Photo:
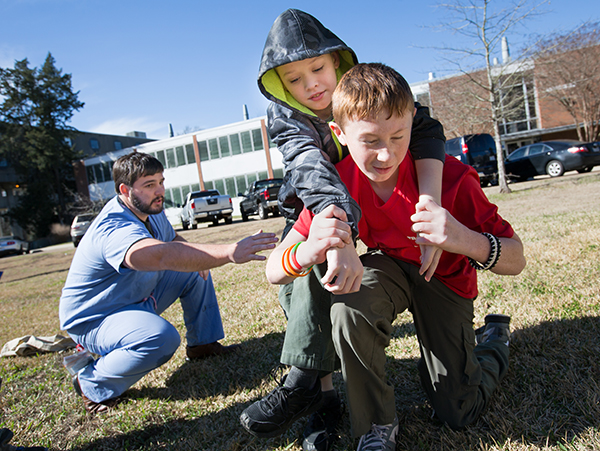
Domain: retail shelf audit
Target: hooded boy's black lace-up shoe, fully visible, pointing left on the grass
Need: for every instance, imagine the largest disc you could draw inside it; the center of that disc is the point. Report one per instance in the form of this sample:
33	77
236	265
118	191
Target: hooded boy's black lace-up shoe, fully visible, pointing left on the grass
275	413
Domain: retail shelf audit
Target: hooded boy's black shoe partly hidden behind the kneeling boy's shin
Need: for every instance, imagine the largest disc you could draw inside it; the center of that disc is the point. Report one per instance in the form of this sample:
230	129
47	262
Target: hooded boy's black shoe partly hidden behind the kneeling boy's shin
321	430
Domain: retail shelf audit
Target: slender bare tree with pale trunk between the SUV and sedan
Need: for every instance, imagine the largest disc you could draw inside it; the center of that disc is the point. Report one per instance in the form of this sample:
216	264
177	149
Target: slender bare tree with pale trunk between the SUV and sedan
491	91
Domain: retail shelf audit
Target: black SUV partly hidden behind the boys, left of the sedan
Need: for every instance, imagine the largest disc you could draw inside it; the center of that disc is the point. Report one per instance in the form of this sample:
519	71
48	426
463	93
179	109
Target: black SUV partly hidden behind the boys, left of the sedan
479	151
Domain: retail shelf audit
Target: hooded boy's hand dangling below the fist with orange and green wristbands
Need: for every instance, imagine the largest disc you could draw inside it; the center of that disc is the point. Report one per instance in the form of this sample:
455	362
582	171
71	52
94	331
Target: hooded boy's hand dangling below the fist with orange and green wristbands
344	270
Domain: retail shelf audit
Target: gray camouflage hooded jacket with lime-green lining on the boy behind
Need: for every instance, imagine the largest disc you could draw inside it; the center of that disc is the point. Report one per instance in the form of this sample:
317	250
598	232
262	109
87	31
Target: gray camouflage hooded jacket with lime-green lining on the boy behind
303	138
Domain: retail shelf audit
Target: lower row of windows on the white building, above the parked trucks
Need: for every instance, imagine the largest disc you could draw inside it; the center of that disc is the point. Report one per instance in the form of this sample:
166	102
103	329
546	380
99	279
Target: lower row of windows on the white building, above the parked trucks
231	185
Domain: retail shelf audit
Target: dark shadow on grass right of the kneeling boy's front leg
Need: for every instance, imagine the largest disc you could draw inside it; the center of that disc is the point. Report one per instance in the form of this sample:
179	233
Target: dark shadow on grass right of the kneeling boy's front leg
550	396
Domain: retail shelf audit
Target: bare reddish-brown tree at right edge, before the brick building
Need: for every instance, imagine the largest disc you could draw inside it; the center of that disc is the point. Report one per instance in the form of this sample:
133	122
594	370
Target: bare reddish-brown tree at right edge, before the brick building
568	73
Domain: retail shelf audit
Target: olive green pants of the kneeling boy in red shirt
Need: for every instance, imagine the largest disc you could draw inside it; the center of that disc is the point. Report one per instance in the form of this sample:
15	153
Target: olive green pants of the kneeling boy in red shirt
458	377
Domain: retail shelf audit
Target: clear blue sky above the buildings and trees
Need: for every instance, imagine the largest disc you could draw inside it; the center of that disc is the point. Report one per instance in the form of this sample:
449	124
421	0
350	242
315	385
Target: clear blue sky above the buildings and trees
144	64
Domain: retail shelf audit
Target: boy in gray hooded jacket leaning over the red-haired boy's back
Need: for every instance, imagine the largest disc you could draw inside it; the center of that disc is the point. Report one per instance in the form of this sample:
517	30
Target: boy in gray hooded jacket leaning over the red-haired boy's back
302	62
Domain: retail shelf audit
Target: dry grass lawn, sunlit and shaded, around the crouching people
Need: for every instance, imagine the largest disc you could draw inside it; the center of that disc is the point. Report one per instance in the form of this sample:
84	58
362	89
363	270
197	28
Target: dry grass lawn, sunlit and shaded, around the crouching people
550	399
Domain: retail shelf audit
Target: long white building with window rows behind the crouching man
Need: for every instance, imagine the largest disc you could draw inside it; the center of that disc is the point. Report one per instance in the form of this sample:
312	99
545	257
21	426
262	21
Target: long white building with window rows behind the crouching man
227	158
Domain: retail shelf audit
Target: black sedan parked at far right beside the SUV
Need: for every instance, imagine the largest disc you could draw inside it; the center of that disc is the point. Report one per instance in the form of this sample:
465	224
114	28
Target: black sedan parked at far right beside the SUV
550	157
